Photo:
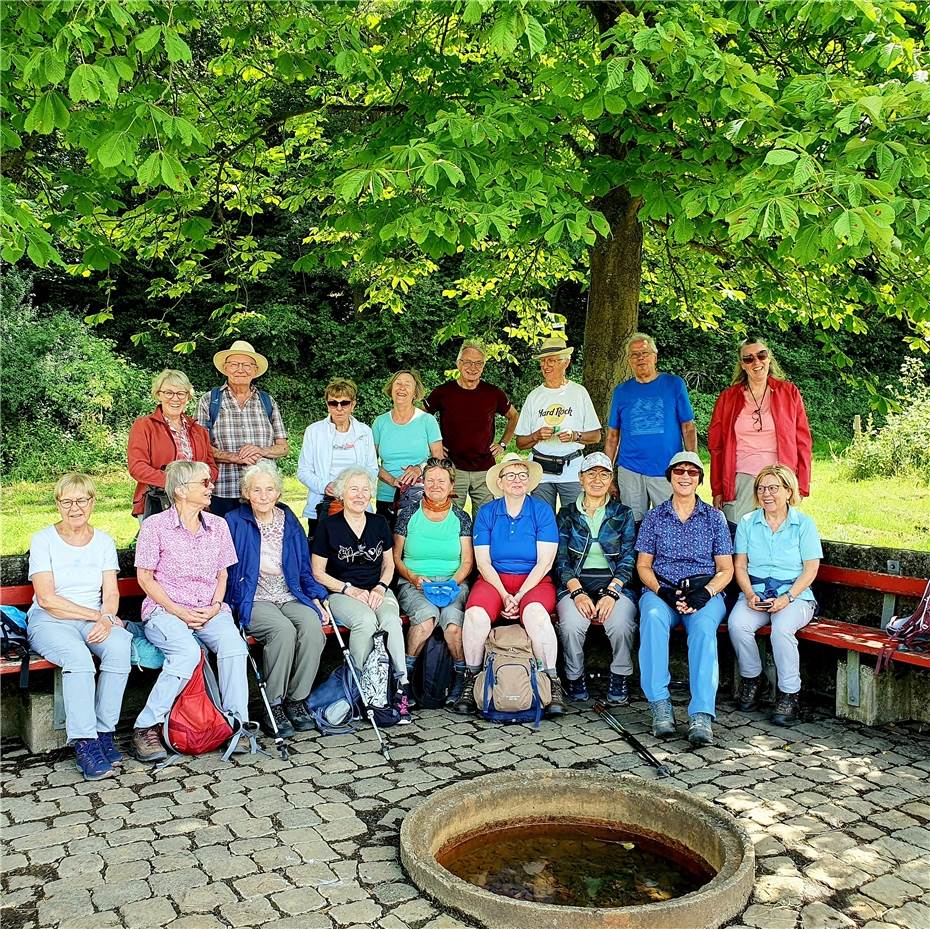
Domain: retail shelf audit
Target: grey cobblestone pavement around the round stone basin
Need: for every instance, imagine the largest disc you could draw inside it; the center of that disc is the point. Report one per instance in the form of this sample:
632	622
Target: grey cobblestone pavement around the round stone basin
840	815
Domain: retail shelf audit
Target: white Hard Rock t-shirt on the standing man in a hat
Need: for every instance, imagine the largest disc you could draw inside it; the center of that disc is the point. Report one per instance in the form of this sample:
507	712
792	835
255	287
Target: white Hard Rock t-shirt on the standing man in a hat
565	409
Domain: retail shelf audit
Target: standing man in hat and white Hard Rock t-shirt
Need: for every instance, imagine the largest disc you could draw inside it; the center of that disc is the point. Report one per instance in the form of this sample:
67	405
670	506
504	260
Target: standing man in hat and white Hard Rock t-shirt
556	422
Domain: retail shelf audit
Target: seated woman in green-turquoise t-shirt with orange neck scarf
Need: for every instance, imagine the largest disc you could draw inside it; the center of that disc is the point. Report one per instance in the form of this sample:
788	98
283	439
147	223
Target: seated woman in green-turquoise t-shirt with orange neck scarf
433	543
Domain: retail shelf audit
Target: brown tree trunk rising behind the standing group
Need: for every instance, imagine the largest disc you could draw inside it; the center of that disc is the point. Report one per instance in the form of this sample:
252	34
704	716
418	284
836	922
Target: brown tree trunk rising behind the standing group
613	298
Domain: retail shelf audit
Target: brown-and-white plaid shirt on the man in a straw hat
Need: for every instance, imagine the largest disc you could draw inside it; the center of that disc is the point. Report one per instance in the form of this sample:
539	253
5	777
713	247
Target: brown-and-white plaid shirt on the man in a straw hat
237	426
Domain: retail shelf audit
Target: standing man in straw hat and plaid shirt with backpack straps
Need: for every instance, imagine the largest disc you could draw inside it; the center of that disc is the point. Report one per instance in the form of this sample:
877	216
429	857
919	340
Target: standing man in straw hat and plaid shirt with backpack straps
244	423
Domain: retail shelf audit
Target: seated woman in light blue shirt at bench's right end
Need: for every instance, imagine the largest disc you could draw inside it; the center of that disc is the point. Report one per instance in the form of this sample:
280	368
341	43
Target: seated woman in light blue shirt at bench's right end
777	554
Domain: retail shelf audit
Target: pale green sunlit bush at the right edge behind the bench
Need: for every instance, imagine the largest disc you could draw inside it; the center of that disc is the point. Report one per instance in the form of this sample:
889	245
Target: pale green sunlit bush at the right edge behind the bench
901	447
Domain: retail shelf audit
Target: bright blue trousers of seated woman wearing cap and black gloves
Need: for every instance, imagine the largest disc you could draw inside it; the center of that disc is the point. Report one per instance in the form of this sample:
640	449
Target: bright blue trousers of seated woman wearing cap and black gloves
656	620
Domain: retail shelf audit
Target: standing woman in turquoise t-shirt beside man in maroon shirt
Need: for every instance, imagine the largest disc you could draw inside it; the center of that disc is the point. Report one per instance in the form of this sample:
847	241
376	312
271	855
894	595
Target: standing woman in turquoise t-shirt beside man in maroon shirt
404	438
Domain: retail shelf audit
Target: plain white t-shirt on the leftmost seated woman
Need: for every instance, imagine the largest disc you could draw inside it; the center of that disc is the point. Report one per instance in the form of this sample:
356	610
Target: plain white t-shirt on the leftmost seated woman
78	569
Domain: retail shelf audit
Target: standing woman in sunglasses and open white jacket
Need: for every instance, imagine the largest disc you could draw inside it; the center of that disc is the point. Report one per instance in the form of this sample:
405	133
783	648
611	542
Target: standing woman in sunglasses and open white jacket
330	446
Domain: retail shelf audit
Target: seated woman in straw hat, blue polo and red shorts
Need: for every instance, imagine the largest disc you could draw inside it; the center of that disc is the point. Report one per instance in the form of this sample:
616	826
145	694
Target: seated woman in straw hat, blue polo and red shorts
516	540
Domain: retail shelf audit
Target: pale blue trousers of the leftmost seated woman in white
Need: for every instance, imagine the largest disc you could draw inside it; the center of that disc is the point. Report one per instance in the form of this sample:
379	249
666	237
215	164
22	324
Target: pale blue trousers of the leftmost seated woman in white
89	708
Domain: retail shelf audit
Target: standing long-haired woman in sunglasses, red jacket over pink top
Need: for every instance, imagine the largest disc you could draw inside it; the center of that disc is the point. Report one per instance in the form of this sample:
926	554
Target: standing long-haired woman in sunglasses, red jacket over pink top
758	421
